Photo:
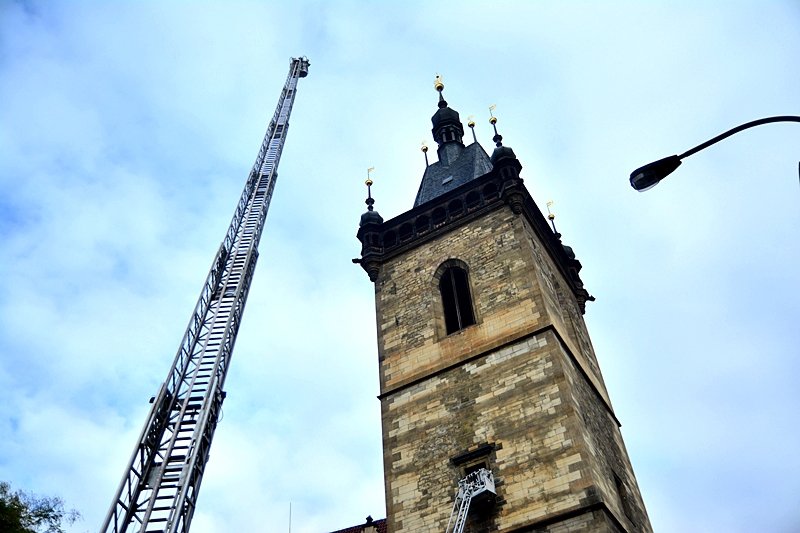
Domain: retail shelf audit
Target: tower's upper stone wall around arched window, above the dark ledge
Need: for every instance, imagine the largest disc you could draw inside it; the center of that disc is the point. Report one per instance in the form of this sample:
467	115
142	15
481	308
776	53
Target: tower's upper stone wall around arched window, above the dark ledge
506	270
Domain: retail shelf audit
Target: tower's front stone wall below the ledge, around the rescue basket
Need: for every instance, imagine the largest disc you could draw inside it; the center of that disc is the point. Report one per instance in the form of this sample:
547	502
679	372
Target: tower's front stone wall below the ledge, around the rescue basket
513	398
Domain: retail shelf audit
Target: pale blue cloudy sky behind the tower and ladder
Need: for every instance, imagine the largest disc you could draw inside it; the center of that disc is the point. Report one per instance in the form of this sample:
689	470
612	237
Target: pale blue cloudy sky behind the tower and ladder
127	131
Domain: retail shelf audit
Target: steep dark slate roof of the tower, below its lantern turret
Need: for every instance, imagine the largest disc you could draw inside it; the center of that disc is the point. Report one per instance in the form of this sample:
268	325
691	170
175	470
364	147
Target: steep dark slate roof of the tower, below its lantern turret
440	178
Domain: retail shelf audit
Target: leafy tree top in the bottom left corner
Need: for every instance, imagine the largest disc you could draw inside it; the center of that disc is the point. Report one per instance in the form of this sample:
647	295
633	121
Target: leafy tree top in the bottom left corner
26	513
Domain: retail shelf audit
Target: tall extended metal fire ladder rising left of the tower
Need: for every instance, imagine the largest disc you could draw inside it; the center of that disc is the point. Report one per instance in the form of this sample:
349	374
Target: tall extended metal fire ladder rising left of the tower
159	490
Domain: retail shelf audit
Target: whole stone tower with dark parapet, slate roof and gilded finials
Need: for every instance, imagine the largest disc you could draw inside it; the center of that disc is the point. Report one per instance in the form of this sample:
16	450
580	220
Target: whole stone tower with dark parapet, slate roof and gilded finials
485	360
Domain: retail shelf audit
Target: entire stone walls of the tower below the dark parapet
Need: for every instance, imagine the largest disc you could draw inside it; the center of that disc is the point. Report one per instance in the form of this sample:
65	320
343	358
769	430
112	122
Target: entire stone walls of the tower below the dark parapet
508	381
